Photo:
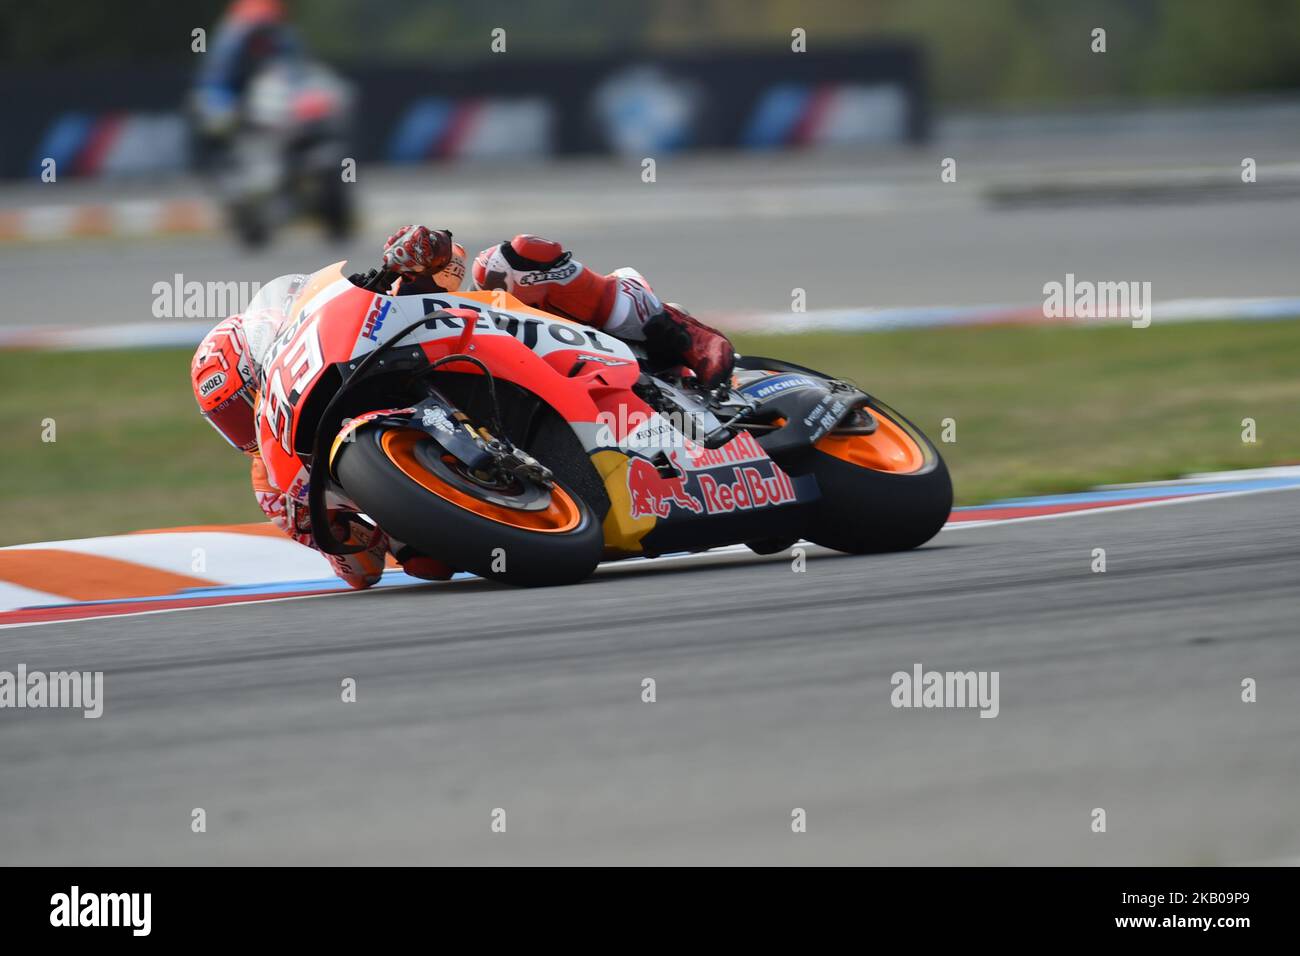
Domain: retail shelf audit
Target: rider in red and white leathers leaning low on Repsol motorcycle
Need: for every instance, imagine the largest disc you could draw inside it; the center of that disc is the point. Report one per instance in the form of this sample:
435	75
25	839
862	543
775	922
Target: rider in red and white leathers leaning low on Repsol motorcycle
540	272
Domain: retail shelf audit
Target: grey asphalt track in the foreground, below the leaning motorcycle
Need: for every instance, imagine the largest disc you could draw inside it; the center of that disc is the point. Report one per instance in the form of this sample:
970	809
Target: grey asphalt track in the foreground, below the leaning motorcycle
1119	691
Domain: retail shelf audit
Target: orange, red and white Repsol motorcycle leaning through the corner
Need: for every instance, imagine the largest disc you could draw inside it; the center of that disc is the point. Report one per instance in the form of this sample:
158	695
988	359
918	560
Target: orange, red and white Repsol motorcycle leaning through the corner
527	448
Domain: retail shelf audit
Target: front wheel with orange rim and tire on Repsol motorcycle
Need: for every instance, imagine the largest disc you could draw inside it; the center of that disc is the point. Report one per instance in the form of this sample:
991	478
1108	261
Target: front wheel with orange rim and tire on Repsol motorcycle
508	530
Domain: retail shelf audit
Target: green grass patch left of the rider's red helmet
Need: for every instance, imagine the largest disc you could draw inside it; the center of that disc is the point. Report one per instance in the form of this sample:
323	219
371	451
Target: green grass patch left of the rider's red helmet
131	449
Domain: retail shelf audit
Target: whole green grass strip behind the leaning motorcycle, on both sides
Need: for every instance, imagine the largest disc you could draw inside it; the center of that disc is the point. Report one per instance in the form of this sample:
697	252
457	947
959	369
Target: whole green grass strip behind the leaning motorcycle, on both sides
1037	410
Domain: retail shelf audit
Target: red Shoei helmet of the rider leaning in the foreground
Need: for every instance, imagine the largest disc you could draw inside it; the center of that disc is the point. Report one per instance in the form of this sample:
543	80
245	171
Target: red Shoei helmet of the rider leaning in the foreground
226	384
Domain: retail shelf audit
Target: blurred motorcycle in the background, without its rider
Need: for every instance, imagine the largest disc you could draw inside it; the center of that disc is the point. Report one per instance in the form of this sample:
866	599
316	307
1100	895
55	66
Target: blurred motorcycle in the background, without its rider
288	153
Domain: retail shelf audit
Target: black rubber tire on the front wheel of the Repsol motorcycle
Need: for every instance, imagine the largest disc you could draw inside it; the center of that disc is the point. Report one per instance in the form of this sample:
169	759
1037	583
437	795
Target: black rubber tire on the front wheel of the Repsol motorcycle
453	534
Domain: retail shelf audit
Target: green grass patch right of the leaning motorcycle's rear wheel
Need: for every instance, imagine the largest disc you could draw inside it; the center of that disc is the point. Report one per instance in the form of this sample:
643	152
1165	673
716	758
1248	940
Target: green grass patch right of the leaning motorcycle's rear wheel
1042	410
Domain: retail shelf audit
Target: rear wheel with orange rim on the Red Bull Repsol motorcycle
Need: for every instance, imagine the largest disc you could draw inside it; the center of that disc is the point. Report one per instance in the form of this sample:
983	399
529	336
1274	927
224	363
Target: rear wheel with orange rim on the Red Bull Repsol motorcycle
889	491
